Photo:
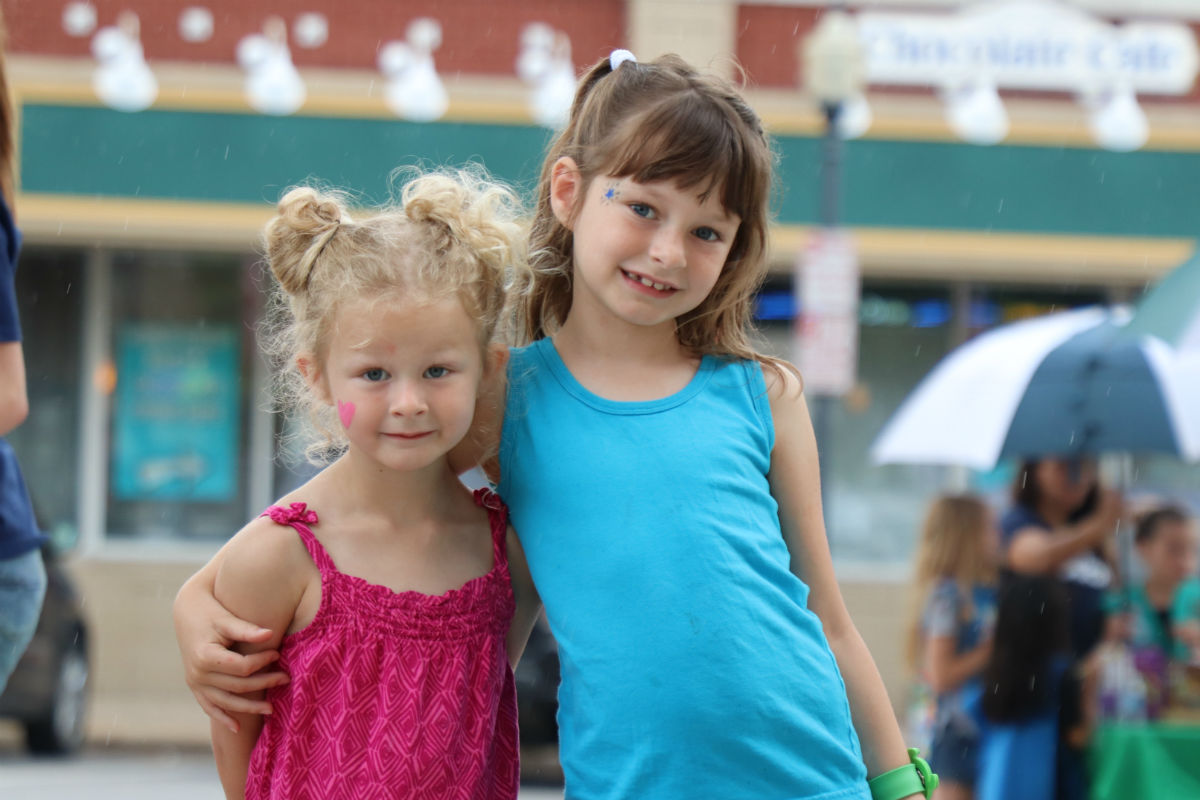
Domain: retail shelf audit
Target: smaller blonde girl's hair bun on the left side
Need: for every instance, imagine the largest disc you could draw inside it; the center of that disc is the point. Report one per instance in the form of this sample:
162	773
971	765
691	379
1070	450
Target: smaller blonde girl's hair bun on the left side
305	224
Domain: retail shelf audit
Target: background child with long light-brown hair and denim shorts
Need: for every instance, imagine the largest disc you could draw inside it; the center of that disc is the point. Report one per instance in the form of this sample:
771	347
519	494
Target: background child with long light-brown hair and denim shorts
950	639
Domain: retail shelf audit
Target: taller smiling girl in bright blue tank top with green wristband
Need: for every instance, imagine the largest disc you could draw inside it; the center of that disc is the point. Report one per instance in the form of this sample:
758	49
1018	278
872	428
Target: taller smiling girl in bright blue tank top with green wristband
663	476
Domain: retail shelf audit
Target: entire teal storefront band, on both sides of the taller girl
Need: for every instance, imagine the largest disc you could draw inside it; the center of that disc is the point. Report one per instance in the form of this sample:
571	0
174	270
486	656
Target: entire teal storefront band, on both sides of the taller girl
250	159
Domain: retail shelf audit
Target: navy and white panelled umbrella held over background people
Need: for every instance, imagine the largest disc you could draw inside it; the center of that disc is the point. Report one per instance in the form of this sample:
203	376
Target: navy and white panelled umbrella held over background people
1071	384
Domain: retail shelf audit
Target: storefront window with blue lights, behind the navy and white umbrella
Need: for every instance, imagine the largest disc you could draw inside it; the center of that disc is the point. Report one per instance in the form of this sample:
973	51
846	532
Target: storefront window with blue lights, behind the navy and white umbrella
874	513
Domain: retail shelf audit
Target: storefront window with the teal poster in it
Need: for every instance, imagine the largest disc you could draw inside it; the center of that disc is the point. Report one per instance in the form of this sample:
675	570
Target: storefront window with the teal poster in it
182	358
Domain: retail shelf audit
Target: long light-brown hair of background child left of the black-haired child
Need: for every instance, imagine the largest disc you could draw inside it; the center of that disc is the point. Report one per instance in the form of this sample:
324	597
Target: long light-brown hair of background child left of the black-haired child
953	545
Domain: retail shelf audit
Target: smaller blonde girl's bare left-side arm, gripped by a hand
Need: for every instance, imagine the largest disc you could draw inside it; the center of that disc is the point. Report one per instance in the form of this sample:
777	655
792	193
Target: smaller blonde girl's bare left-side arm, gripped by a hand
261	579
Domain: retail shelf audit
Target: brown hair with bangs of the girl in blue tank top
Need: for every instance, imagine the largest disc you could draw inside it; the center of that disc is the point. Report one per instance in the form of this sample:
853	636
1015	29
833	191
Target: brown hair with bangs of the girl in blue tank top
655	122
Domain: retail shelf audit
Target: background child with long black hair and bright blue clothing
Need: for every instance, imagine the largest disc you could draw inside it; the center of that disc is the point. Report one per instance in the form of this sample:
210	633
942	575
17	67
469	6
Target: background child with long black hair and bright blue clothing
1034	702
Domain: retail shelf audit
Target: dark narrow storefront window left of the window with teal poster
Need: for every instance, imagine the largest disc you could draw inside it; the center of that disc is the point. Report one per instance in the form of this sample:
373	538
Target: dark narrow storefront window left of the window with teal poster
50	294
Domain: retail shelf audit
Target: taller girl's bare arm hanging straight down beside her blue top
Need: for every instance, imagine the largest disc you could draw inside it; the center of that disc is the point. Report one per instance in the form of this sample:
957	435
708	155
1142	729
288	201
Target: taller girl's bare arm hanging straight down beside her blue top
796	485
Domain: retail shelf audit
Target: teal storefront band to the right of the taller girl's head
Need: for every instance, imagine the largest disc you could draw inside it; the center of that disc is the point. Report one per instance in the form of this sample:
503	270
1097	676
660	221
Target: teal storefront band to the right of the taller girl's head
1001	188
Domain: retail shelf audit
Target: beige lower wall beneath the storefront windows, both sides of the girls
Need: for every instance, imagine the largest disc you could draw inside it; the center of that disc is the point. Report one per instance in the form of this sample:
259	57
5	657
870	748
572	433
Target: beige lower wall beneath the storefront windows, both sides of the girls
139	693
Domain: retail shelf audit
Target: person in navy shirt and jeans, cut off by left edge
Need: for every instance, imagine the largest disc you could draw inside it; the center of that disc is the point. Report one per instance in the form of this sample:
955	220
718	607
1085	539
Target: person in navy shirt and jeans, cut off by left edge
22	573
